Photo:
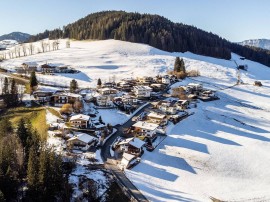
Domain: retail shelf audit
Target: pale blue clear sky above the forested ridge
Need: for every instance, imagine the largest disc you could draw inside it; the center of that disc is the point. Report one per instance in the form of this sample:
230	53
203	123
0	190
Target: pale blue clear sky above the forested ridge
235	20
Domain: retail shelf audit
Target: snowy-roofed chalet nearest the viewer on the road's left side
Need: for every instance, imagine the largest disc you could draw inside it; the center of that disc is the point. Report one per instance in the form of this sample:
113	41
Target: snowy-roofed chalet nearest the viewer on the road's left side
81	141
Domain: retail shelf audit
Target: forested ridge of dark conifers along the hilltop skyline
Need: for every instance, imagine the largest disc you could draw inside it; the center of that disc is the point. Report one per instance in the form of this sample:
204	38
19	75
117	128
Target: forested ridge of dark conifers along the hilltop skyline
156	31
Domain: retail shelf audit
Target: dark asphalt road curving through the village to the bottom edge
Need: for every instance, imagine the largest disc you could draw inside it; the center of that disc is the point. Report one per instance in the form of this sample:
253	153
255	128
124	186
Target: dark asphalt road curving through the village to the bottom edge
105	154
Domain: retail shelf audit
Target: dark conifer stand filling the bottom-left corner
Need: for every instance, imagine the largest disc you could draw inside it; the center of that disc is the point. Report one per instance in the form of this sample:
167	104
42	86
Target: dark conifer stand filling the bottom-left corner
29	170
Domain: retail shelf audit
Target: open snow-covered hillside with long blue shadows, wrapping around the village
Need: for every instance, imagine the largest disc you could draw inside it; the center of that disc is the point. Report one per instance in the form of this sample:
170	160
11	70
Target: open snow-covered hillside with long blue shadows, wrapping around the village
221	151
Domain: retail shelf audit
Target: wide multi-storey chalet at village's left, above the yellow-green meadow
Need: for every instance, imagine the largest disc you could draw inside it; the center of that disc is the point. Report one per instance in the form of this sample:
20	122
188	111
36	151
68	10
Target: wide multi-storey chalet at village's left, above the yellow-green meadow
61	98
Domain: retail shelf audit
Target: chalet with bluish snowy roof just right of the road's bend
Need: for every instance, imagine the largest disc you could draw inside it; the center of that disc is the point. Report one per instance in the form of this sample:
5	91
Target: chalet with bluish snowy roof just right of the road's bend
132	145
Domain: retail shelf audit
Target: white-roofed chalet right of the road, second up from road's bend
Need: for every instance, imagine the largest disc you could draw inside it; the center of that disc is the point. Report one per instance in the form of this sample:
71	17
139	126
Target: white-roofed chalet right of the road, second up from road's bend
145	129
